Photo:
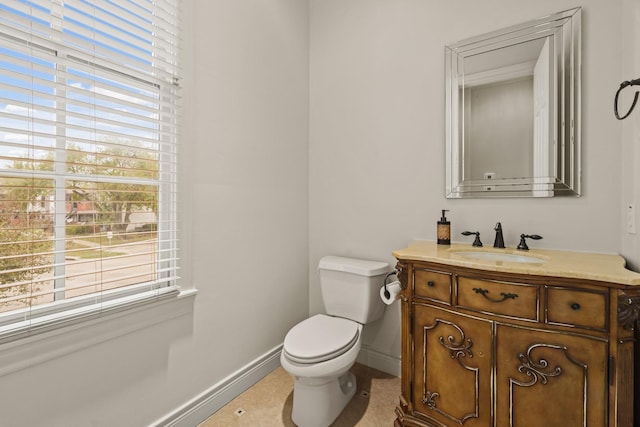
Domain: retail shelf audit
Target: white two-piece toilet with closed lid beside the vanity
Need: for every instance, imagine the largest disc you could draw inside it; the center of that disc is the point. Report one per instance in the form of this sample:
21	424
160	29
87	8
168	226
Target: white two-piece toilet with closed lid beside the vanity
320	350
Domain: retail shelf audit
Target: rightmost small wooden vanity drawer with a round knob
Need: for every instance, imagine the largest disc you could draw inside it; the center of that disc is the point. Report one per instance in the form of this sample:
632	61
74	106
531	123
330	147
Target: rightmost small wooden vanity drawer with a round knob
578	308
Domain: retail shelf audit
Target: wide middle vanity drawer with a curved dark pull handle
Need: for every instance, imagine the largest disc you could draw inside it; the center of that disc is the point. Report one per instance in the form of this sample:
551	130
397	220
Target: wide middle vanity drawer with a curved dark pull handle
502	298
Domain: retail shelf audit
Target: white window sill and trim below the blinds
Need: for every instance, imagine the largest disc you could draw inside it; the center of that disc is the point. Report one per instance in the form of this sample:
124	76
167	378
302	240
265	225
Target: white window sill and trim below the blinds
82	332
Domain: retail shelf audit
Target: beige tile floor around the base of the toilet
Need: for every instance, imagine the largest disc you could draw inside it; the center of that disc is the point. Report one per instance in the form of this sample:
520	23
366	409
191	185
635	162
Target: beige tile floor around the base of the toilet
268	403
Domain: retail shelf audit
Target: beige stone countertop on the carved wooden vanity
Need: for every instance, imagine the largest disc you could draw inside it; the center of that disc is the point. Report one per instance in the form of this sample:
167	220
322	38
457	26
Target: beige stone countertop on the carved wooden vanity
581	265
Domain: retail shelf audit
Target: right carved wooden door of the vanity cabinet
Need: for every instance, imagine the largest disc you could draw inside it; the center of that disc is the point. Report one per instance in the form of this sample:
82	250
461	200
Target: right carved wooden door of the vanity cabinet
545	379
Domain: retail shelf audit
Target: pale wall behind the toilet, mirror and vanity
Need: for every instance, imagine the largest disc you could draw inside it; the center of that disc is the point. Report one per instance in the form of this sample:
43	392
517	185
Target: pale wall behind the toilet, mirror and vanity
377	134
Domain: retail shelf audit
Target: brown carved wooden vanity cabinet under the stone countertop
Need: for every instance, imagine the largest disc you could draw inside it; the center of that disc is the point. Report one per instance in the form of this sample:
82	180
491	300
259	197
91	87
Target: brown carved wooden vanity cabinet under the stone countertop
484	348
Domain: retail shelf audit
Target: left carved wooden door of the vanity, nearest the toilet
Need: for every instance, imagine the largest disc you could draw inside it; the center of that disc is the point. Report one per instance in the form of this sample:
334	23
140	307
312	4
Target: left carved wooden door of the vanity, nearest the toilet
452	367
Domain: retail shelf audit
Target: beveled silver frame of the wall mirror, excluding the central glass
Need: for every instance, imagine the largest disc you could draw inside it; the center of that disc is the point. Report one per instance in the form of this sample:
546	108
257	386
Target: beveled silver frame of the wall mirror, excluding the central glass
564	32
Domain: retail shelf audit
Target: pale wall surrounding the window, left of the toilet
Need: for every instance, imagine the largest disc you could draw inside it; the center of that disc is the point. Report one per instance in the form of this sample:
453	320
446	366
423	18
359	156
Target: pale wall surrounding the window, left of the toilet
245	223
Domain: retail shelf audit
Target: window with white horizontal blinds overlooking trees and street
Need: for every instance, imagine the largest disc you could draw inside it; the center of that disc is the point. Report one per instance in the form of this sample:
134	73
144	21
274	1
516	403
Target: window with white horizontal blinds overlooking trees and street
88	158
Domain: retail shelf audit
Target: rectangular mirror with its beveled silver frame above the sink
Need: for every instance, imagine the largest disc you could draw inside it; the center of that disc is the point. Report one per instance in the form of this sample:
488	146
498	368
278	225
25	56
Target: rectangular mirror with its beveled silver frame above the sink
513	110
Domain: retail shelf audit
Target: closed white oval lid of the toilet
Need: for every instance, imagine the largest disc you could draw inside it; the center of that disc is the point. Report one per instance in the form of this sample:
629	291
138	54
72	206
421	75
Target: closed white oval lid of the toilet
320	338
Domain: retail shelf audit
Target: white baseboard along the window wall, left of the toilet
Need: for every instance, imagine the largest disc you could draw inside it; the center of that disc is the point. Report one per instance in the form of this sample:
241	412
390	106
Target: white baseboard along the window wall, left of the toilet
211	400
